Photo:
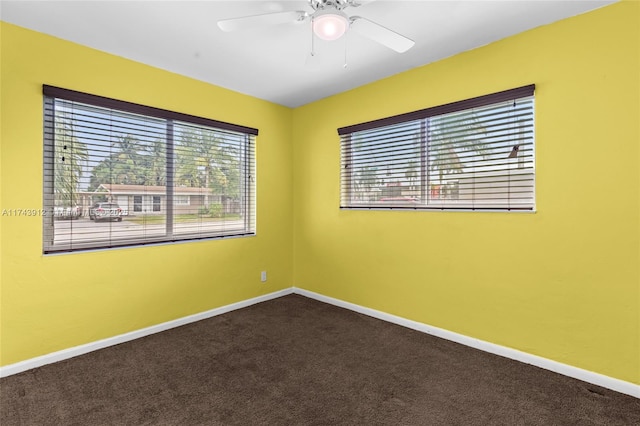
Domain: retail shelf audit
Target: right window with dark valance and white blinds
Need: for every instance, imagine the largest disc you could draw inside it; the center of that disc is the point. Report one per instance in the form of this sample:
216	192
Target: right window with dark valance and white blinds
476	154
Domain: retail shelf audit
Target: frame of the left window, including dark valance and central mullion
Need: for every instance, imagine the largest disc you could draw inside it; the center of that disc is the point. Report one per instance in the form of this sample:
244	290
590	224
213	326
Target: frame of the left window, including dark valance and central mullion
246	161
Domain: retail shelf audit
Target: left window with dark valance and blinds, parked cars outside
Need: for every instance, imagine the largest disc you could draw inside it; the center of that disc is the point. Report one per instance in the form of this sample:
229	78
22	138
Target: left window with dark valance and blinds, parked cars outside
139	175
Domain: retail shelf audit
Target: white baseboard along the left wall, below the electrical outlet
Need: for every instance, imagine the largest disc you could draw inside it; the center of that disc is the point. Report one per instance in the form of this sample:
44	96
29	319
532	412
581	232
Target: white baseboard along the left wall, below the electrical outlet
21	366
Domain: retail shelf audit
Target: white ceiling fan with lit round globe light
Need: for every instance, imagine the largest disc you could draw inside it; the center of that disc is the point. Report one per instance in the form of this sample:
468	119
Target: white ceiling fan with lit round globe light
328	21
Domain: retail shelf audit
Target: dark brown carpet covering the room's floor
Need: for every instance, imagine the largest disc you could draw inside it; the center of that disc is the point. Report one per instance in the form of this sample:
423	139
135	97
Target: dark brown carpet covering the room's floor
297	361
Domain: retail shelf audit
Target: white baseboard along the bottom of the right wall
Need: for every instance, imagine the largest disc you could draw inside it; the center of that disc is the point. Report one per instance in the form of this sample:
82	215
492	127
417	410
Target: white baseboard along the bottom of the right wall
558	367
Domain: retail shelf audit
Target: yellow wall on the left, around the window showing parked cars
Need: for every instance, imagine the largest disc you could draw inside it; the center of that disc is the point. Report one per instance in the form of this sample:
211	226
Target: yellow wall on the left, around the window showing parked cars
50	303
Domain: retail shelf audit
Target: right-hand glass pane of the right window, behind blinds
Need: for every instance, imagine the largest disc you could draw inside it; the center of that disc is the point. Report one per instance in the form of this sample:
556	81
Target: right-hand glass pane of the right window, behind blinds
469	156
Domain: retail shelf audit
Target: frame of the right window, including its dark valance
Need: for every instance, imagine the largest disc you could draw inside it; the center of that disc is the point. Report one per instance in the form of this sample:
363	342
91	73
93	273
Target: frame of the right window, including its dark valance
348	133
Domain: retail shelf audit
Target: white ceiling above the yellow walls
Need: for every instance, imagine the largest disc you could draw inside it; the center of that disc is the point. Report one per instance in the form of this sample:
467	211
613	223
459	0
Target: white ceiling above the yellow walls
273	63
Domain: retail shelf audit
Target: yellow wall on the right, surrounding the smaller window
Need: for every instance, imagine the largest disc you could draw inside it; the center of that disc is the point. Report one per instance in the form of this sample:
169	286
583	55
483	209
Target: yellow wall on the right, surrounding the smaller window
562	283
